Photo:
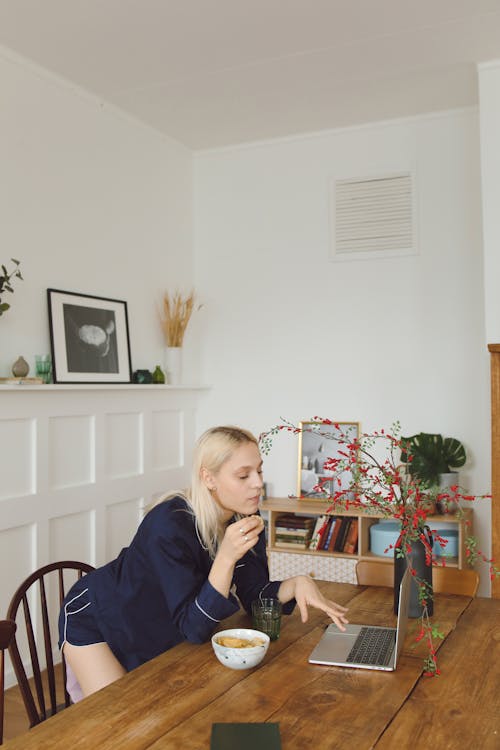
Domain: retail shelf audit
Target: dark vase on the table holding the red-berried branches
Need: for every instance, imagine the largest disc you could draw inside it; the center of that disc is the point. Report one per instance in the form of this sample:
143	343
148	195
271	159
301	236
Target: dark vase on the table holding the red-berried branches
418	556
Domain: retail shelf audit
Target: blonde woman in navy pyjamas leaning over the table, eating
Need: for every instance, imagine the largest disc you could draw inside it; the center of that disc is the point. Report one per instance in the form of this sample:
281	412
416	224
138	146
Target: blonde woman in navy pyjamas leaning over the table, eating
175	581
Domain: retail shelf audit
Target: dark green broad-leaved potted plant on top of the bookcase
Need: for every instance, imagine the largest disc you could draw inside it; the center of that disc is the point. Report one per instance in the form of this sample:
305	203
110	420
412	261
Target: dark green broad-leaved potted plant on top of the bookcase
434	461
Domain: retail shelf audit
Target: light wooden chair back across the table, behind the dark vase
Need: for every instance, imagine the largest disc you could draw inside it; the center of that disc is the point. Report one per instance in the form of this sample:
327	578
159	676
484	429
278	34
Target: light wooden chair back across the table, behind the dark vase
444	580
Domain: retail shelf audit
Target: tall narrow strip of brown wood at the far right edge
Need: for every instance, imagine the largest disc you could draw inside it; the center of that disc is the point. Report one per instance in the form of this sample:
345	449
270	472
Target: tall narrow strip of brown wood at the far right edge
494	350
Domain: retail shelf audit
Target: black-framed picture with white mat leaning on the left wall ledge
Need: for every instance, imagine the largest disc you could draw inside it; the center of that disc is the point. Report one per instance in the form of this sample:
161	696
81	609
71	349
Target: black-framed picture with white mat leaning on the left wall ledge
89	338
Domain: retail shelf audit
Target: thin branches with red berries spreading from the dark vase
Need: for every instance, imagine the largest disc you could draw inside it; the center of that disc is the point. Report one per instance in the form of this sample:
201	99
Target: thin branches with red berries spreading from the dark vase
367	476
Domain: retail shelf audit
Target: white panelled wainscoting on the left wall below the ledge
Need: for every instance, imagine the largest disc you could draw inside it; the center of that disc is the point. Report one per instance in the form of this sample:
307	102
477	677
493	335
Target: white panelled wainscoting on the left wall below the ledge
79	465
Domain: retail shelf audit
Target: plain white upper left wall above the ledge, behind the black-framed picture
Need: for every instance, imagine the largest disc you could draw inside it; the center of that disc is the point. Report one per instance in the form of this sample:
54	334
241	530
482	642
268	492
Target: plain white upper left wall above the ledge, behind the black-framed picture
90	201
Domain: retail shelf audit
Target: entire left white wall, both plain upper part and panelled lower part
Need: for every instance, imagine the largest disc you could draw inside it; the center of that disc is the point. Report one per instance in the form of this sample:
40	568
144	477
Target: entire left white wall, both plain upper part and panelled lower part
90	202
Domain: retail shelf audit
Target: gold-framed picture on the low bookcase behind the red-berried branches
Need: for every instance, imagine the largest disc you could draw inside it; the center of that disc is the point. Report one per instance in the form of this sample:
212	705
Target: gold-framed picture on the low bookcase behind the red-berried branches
317	442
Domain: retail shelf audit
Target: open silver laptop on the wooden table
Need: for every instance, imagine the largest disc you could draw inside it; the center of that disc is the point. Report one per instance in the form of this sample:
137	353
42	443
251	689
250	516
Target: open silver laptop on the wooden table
366	646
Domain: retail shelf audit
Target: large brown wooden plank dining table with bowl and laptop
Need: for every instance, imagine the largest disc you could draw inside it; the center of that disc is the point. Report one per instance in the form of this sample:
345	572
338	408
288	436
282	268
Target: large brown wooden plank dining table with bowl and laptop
173	700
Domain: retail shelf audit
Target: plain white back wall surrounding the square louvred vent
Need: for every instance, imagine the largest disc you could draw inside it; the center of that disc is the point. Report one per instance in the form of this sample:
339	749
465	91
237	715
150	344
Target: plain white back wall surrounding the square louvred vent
291	334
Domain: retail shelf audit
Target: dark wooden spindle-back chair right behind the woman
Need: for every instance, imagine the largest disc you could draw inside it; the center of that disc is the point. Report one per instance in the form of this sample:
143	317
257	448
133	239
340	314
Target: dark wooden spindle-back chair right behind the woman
29	608
